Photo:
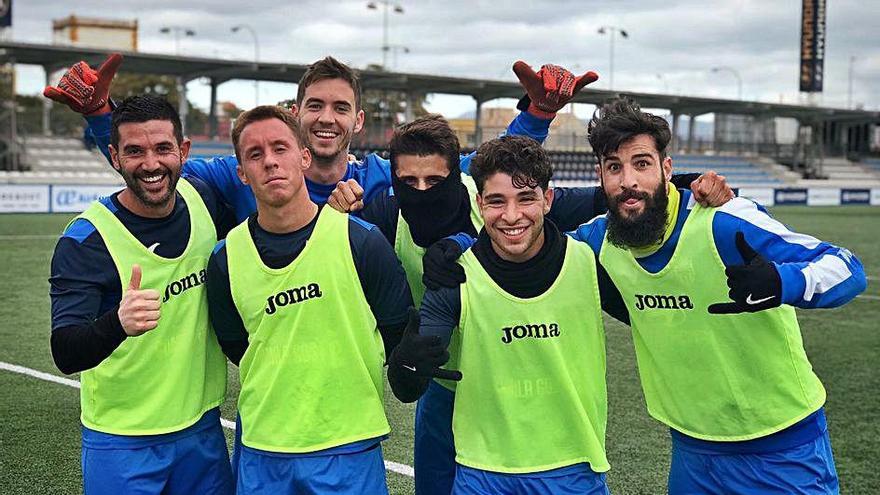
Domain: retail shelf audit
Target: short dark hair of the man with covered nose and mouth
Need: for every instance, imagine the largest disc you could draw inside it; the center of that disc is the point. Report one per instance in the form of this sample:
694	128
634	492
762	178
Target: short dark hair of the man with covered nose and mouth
427	135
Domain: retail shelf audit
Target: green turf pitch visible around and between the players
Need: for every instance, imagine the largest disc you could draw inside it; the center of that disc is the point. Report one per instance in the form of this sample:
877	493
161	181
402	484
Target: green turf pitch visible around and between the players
39	438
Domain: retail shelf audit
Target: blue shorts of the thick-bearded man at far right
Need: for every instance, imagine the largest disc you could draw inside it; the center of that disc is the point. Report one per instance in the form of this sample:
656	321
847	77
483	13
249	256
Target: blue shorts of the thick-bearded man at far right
807	468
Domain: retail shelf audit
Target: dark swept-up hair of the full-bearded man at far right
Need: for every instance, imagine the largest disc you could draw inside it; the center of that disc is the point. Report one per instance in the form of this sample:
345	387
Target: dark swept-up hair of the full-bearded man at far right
620	120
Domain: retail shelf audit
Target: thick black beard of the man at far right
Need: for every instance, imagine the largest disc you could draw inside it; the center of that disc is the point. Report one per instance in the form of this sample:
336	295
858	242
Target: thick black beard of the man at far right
645	229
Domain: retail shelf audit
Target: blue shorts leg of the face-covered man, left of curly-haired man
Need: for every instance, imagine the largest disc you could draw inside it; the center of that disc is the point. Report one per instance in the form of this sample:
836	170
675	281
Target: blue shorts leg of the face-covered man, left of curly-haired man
434	451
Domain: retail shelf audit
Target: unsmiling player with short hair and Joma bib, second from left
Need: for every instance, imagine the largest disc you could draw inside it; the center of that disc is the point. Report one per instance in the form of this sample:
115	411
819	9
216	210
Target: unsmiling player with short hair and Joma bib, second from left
302	299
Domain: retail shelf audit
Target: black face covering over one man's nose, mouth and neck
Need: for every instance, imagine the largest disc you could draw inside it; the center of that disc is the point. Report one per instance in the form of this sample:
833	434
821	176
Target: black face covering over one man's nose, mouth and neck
435	213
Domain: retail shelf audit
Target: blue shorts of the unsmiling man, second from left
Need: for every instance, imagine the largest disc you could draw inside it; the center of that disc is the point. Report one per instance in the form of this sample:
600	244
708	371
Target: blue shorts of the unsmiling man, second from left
355	473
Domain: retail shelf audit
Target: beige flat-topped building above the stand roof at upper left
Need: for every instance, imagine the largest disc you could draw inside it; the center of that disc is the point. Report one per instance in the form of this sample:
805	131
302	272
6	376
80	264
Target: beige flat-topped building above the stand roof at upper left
90	32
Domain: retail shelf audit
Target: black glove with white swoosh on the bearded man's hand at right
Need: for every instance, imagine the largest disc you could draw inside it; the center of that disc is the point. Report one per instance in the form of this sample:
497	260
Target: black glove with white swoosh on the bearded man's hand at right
754	286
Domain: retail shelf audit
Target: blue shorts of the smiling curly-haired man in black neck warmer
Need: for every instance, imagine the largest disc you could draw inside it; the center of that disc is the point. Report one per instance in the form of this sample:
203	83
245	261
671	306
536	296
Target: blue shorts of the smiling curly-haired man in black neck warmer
575	480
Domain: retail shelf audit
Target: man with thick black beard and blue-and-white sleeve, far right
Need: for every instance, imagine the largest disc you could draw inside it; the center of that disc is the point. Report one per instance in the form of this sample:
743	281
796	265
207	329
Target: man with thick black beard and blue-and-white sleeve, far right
745	408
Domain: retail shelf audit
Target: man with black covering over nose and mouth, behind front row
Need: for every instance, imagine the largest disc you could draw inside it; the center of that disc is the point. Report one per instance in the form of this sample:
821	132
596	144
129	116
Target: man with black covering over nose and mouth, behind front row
432	199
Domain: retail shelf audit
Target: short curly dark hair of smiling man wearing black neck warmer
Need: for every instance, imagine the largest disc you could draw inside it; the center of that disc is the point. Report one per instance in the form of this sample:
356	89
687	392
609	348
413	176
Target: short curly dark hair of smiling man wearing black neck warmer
520	157
